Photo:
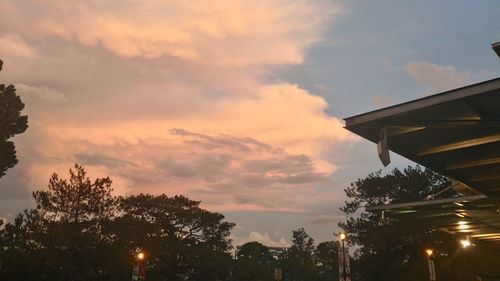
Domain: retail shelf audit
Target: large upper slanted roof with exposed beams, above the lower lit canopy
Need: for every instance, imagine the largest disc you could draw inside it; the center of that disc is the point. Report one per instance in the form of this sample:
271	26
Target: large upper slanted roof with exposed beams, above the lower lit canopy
455	133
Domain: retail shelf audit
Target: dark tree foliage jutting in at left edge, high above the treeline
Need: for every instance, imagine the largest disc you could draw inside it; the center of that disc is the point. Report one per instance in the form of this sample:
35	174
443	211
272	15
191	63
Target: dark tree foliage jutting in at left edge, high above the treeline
11	124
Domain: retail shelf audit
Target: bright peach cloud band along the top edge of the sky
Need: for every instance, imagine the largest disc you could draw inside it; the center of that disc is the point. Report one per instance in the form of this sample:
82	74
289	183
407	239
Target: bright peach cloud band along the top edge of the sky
228	32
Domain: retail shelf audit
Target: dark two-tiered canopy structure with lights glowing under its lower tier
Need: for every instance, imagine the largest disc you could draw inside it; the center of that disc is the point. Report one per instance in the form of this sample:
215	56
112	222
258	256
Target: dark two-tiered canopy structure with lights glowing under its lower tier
455	133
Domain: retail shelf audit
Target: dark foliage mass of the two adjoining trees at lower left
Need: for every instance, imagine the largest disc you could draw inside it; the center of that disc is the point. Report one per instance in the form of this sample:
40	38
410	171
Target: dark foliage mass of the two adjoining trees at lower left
79	231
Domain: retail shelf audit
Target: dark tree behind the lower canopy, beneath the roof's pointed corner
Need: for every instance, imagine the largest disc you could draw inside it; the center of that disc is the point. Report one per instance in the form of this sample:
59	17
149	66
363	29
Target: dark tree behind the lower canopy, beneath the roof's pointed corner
392	249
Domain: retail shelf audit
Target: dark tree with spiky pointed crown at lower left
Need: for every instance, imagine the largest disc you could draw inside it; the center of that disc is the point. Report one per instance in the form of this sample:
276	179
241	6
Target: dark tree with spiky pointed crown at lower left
63	235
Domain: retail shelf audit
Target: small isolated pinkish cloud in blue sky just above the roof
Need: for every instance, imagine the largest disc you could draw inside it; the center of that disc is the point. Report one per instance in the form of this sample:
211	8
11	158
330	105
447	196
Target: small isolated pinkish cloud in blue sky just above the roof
437	77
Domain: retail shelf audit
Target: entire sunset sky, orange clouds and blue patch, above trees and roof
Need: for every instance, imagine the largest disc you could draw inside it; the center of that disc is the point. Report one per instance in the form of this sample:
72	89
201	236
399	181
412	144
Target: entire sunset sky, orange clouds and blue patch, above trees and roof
235	103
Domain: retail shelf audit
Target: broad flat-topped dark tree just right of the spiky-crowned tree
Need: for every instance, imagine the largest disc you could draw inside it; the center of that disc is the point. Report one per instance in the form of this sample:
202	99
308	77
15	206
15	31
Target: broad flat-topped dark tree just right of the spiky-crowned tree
182	239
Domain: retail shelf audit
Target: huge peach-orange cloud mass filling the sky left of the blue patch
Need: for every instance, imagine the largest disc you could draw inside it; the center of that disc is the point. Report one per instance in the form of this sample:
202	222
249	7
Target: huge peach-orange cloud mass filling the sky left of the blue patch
175	97
